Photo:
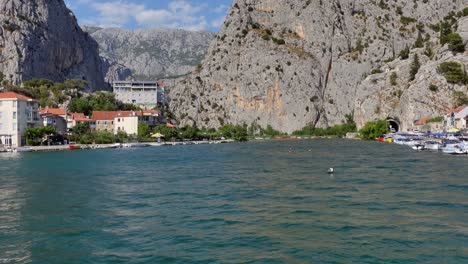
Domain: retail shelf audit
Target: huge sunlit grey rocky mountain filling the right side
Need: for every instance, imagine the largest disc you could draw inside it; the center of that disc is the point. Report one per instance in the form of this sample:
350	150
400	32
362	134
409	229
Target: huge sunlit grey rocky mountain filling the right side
292	63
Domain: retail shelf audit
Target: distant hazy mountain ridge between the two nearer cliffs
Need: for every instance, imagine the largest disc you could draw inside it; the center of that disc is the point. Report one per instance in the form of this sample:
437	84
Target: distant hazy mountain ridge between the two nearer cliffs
149	54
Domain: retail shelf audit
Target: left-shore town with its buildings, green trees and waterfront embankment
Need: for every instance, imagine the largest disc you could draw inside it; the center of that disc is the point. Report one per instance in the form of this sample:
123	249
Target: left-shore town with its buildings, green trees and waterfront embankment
26	126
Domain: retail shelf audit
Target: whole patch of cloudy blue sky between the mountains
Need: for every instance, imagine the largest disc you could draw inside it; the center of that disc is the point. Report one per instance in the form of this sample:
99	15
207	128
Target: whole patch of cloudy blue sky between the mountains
133	14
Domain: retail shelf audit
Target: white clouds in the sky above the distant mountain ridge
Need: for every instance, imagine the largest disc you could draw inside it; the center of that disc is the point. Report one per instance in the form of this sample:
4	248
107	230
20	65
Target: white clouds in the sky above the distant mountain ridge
178	14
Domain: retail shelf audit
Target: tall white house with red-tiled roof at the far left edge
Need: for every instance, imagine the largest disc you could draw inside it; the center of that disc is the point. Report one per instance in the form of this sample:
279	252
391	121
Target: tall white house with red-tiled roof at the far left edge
17	113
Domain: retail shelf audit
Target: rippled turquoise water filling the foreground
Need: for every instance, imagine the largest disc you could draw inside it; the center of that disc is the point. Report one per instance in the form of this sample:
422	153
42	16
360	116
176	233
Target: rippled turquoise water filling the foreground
270	202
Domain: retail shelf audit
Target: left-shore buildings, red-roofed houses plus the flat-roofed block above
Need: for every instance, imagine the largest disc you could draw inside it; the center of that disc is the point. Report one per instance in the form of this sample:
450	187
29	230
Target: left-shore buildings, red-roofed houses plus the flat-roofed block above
18	113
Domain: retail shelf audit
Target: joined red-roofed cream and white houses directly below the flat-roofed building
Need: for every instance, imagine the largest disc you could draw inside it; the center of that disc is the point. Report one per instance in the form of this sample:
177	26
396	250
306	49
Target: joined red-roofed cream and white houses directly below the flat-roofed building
125	121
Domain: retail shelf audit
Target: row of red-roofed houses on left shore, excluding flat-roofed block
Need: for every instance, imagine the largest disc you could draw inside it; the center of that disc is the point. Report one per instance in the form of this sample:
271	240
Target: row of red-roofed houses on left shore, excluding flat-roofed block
19	112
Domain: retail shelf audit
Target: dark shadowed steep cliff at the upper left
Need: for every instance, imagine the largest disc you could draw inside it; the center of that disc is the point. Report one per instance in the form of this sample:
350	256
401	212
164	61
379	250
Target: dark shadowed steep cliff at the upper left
41	39
